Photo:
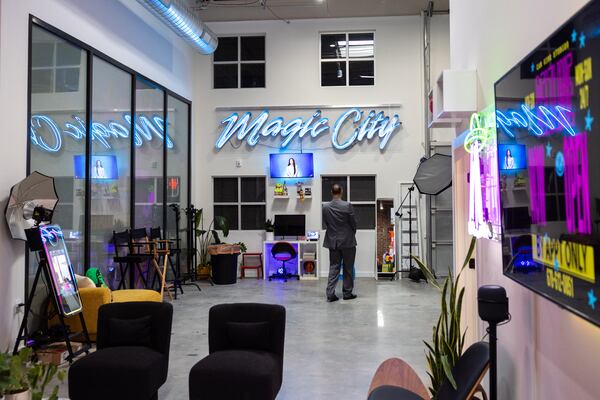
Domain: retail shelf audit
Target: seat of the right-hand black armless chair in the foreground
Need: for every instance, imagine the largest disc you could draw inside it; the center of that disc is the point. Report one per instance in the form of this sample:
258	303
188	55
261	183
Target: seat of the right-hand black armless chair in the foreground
256	375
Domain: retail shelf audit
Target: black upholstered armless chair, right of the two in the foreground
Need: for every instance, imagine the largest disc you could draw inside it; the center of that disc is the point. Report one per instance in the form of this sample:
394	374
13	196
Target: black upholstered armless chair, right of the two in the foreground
246	354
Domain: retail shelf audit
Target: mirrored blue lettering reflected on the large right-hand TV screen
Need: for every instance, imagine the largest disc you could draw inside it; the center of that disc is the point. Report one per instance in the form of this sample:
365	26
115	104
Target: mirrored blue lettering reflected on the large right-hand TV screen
552	118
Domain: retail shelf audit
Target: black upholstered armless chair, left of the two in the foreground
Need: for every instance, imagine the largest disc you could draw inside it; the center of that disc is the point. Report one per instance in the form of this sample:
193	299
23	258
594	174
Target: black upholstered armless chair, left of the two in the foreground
132	357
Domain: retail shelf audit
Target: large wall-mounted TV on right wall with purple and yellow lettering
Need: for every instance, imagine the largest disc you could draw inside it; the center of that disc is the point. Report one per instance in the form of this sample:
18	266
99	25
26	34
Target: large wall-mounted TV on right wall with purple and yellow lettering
548	122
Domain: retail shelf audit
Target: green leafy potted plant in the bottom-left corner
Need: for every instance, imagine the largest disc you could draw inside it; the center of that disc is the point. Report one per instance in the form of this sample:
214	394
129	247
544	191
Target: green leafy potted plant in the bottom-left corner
23	379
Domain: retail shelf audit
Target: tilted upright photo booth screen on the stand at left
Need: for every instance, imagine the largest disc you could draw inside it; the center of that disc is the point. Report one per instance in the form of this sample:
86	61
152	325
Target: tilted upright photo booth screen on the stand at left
63	281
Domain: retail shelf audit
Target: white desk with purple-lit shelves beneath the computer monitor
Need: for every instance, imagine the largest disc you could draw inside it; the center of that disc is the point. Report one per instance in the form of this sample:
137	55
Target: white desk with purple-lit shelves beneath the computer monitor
305	265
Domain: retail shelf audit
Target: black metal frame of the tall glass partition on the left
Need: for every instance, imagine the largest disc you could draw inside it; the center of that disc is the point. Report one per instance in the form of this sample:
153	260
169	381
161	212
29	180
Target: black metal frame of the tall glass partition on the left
92	52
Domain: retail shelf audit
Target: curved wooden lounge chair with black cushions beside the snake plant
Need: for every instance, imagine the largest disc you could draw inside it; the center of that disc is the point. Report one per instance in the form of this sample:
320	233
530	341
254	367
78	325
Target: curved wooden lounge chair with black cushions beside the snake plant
468	373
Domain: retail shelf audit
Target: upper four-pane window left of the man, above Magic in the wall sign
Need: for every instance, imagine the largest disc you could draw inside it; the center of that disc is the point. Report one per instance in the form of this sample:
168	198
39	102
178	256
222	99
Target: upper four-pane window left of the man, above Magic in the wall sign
239	62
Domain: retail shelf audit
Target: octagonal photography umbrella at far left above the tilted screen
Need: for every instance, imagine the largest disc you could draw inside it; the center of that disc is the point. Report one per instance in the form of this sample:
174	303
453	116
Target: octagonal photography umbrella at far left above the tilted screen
31	202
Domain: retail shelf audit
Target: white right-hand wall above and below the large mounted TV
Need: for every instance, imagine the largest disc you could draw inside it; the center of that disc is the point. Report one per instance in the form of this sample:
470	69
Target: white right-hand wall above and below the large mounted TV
545	352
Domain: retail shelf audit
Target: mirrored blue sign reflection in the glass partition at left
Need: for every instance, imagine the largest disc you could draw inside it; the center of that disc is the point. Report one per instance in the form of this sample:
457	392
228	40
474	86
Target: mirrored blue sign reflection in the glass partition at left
46	133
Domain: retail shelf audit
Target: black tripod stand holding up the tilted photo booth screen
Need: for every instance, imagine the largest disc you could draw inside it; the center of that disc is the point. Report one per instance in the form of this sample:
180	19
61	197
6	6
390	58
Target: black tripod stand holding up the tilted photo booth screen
66	336
